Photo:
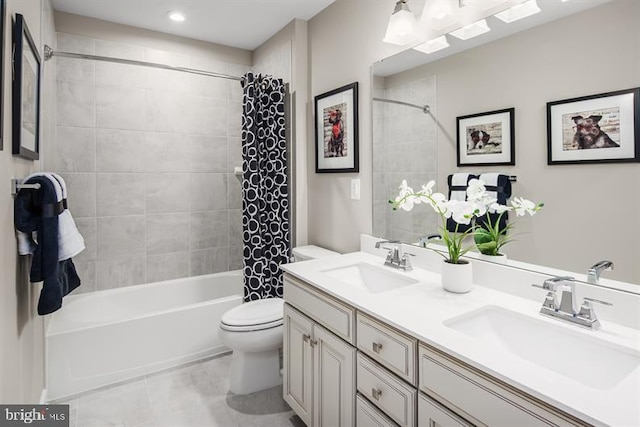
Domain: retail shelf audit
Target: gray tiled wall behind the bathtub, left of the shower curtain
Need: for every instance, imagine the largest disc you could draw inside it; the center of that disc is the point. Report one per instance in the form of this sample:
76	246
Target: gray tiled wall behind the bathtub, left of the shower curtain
148	156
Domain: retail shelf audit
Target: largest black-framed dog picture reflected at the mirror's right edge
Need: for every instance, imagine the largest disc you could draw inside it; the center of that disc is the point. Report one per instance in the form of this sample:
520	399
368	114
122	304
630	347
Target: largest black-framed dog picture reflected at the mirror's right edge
601	128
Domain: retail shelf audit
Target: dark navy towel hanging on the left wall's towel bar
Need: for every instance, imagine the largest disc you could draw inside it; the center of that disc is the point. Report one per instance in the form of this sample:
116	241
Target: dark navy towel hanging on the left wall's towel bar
38	210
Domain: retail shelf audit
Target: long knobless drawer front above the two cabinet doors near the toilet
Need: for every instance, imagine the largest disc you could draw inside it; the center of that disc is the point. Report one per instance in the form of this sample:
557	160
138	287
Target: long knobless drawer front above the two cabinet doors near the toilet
337	317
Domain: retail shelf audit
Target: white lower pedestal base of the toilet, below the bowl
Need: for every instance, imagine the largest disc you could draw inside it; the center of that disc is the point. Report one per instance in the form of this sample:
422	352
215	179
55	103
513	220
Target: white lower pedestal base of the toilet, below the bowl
254	371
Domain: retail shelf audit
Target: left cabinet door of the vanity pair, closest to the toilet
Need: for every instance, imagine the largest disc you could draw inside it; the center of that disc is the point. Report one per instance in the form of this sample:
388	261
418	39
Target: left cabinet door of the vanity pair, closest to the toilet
297	384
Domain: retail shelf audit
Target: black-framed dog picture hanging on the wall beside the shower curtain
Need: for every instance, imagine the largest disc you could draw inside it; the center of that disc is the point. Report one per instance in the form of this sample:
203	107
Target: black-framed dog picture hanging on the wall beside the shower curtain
336	115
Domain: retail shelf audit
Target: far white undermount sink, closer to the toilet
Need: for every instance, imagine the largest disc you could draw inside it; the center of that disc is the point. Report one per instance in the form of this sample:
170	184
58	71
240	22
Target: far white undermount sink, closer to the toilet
373	279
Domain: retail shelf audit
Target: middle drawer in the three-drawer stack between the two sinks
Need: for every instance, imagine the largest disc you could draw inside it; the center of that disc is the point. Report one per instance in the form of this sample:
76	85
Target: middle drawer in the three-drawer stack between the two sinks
387	392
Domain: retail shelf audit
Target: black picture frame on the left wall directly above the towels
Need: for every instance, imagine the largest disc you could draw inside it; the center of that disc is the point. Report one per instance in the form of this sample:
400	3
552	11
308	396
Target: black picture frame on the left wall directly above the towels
26	92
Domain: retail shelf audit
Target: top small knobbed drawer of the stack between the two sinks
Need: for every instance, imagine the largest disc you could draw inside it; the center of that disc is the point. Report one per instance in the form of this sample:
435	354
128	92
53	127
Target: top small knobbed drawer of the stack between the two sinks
387	346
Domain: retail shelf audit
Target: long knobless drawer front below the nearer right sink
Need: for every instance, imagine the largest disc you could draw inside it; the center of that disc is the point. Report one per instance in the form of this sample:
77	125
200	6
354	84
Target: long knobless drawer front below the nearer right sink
485	400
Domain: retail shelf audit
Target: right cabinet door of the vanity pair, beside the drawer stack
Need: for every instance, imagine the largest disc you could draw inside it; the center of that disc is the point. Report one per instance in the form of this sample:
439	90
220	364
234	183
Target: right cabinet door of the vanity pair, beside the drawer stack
334	380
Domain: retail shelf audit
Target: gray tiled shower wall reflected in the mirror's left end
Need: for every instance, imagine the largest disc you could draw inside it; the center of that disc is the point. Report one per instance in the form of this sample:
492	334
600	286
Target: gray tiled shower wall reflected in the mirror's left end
404	147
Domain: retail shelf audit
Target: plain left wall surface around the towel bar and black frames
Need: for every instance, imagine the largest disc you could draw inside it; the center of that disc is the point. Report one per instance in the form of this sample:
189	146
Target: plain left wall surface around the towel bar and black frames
21	330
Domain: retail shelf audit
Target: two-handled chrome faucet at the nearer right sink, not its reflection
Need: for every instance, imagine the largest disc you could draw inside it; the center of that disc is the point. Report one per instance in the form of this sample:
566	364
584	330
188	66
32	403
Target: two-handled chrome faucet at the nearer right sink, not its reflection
566	307
